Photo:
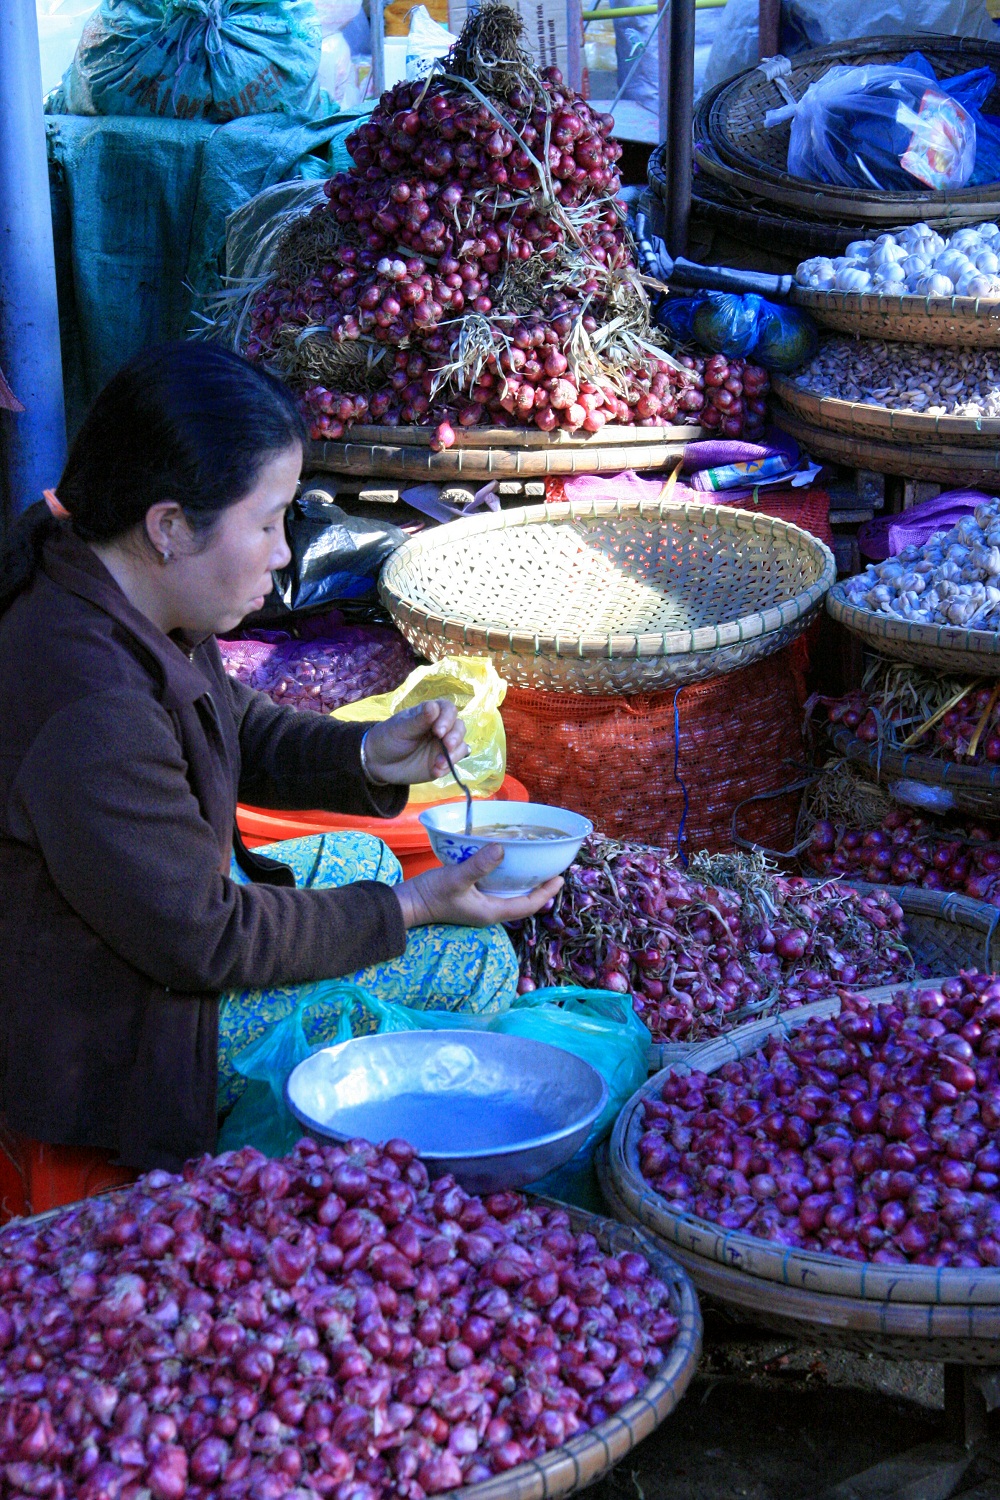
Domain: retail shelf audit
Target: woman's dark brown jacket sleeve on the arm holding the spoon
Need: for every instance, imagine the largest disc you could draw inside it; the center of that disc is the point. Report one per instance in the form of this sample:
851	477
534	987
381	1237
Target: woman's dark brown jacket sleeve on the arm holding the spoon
299	760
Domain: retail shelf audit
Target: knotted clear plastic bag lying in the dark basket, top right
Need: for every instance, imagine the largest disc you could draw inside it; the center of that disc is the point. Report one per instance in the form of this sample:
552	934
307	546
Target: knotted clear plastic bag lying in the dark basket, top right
879	127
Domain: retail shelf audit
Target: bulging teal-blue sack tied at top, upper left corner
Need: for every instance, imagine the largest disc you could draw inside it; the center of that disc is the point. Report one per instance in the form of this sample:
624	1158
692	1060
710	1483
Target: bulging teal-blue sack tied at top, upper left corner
197	59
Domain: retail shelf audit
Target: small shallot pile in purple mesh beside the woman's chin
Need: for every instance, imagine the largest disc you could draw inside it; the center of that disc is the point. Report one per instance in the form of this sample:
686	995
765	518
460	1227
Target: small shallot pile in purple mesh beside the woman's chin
322	676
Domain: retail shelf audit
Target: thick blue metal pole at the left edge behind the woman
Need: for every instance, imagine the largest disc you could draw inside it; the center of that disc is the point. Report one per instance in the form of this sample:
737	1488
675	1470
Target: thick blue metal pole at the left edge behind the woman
34	445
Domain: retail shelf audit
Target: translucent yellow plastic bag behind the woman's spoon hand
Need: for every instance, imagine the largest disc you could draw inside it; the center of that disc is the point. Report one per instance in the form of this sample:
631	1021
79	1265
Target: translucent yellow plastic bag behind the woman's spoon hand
478	692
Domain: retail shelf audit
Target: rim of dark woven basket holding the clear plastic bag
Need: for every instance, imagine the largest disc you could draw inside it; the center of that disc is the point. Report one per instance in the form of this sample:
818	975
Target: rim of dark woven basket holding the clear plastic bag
729	91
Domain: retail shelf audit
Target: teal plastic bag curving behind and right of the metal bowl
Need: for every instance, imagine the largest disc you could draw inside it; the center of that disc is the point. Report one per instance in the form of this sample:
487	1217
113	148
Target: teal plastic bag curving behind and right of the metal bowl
594	1025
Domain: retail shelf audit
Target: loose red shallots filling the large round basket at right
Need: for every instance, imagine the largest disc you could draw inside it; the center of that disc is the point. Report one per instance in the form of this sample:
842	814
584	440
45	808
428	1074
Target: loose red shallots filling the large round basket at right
872	1135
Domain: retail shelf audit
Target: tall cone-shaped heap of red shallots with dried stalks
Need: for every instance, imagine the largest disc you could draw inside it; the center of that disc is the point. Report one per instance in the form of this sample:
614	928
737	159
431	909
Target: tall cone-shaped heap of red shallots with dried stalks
478	262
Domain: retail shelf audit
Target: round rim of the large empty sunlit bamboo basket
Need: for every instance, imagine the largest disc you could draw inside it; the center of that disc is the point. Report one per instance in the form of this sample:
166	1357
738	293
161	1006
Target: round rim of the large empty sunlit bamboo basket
608	646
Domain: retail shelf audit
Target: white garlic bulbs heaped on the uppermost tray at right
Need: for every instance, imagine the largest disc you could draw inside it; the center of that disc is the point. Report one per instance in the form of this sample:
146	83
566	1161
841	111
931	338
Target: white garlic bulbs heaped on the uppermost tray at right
917	260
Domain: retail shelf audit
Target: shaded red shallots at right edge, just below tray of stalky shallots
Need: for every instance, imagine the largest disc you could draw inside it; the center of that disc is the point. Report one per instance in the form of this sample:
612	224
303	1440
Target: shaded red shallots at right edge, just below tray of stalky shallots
908	850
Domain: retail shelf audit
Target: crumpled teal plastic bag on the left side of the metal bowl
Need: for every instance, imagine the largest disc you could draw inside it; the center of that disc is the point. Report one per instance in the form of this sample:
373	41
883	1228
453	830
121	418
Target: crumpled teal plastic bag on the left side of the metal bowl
260	1117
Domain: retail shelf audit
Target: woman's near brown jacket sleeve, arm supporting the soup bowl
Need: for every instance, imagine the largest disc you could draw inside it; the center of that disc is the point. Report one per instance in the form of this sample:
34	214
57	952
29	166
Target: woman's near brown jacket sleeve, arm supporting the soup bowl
104	796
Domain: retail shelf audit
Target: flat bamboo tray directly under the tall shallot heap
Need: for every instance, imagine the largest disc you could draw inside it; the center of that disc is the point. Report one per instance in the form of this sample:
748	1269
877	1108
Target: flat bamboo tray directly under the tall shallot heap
484	454
